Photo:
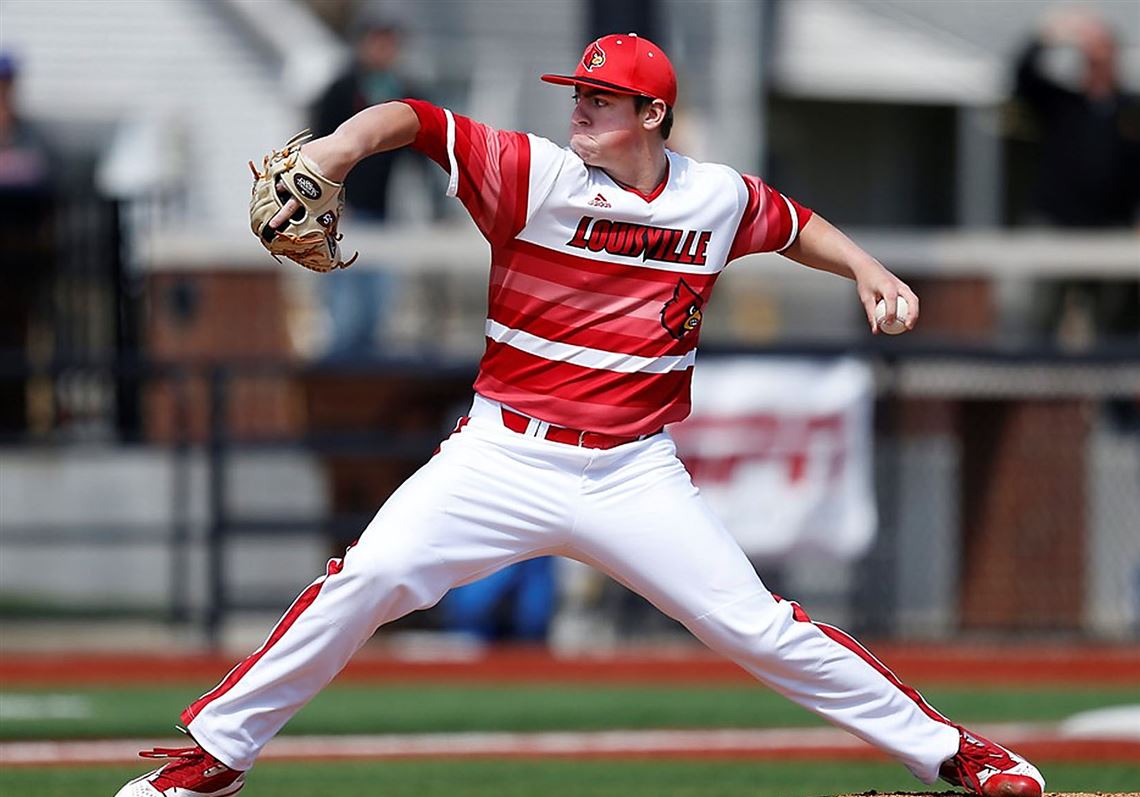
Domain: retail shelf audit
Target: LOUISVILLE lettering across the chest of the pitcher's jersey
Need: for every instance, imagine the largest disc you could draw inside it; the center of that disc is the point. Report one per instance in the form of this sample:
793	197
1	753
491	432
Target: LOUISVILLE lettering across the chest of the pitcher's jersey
630	240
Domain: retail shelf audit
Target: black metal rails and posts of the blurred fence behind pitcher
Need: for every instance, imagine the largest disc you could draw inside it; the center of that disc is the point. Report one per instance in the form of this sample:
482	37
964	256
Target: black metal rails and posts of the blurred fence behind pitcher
905	372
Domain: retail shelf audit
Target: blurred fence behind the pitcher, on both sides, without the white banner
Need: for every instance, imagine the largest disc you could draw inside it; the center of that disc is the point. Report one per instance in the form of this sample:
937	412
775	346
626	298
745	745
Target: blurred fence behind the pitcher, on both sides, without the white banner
1008	493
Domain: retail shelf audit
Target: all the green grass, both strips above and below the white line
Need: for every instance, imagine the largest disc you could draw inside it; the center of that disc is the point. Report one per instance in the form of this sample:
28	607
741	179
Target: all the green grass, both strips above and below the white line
150	712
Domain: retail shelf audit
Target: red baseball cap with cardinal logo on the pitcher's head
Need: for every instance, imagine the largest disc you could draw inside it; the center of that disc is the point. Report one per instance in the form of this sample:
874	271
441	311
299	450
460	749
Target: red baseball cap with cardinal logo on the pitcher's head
626	64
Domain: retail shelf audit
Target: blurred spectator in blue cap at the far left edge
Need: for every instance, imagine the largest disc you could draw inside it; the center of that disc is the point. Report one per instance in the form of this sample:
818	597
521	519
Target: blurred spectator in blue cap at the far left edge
27	204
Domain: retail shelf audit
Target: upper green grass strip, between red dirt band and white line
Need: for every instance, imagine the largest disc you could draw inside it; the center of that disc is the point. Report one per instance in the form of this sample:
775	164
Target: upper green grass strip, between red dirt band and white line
428	707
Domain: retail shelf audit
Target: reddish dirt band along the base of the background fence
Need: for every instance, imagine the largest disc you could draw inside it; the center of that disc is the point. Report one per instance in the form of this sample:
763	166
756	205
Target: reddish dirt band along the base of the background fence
1108	665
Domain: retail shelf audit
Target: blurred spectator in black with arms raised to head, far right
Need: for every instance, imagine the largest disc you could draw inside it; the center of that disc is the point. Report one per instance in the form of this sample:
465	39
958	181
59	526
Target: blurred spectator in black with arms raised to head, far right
1089	173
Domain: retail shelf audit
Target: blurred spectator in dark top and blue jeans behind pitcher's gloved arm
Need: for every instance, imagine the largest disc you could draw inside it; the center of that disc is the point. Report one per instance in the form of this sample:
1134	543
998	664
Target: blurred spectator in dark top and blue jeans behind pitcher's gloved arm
359	299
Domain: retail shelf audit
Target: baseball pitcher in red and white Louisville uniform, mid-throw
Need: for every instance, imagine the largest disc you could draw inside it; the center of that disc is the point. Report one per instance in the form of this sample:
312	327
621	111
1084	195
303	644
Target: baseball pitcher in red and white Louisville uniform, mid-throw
604	258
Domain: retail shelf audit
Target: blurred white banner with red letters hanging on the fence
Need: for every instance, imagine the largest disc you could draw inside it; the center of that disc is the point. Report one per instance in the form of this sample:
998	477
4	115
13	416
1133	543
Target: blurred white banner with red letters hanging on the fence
781	450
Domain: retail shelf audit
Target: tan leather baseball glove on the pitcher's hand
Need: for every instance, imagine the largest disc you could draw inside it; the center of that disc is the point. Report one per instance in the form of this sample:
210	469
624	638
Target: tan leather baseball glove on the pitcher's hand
310	238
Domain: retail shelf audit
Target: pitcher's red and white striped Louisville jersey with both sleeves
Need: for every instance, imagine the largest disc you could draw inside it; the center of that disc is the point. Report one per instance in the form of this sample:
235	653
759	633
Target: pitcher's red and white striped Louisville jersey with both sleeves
597	291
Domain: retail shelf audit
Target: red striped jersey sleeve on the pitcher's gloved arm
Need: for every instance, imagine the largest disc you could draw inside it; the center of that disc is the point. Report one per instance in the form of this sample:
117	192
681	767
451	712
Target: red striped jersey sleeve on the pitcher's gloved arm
490	169
